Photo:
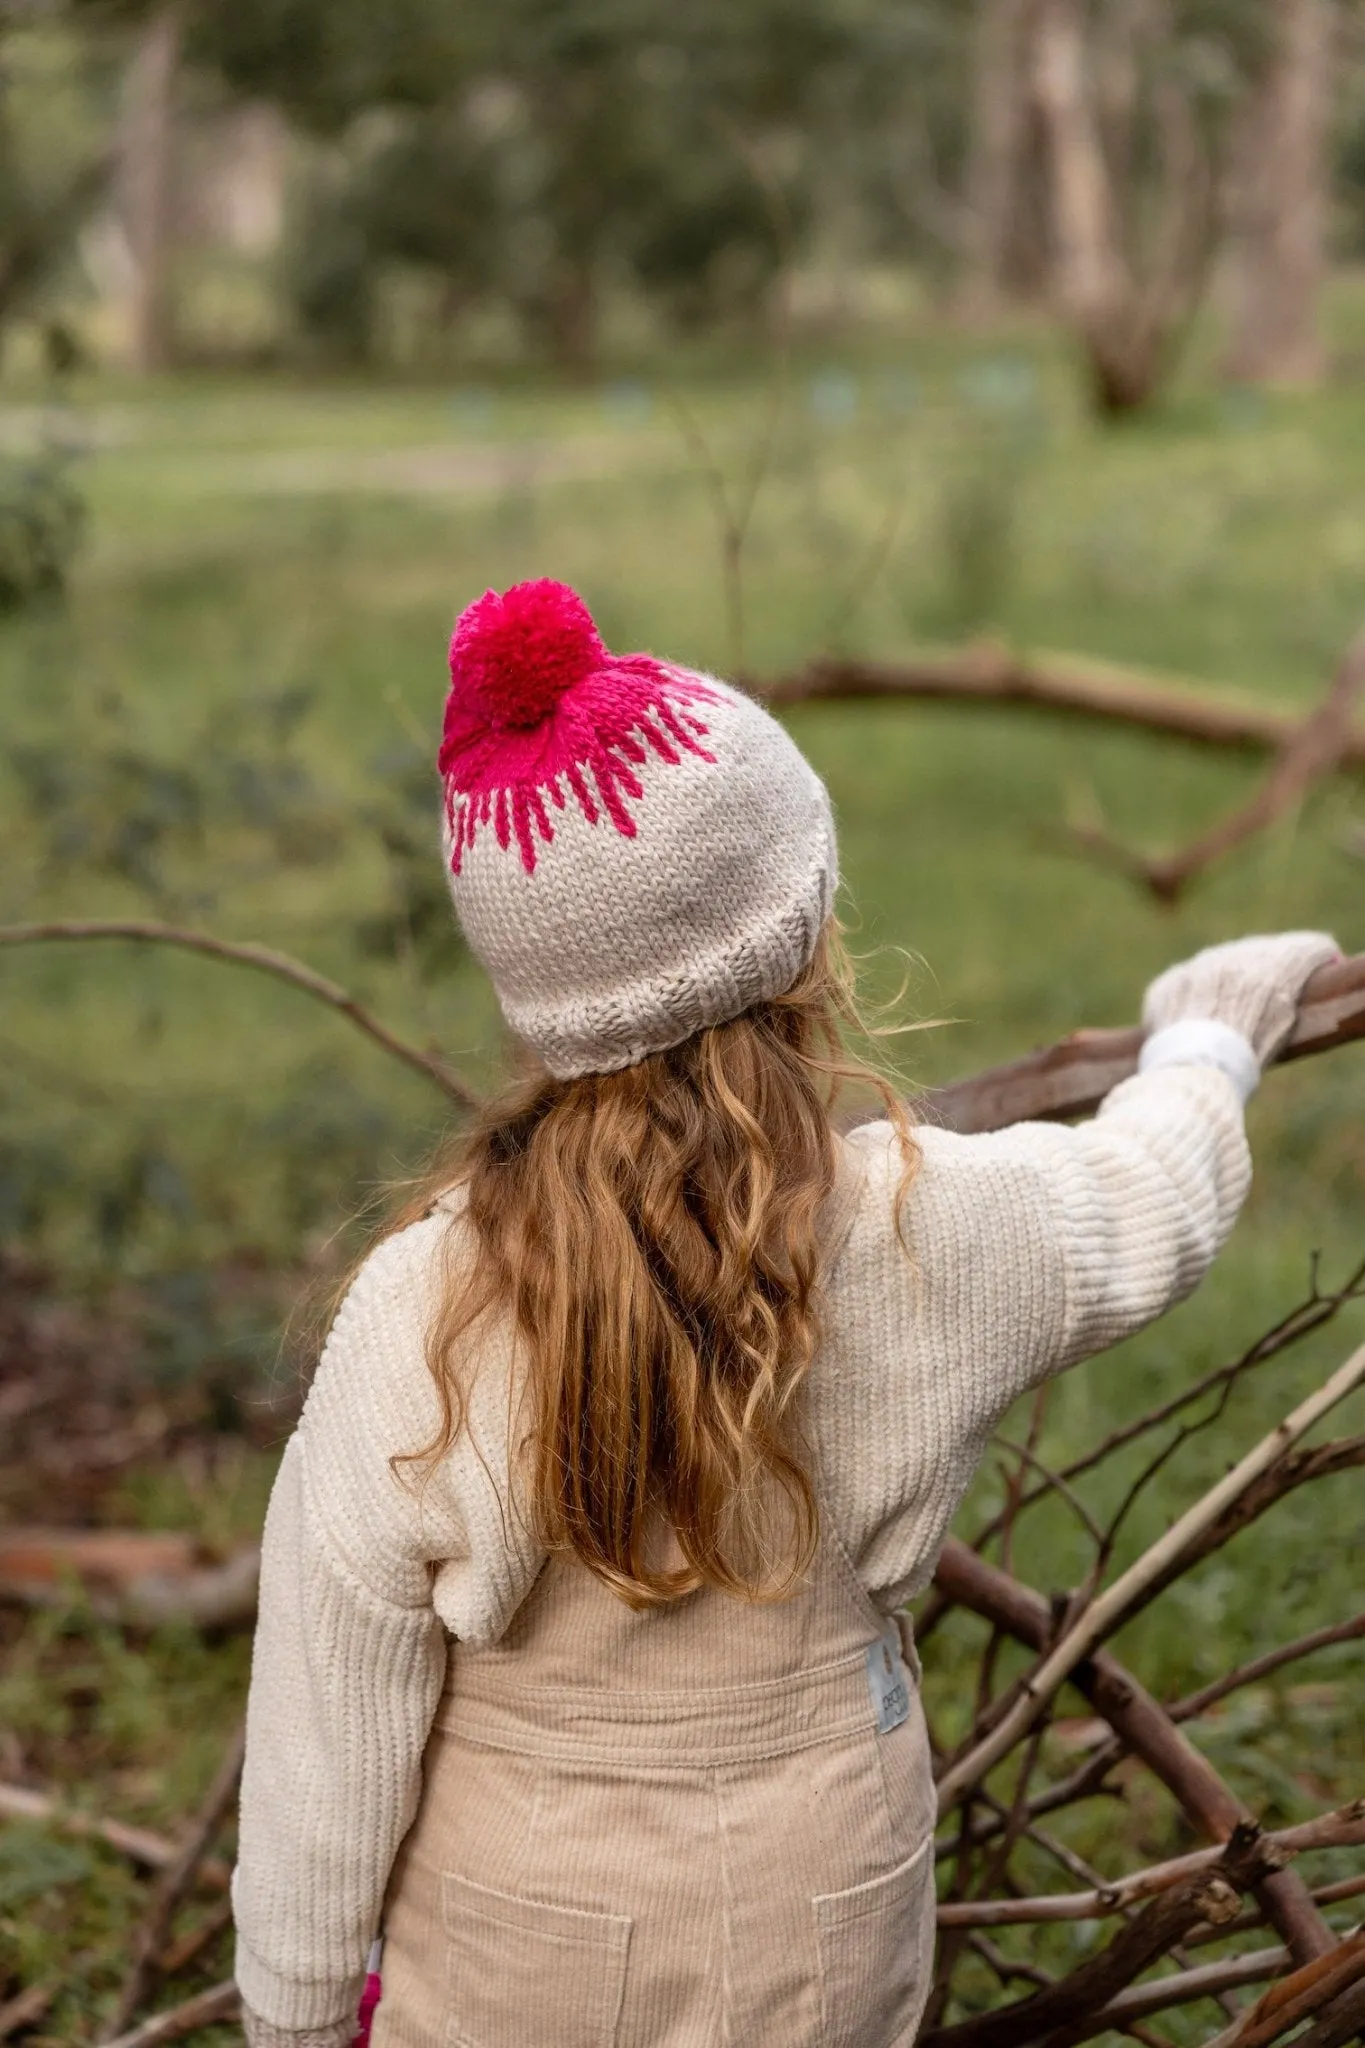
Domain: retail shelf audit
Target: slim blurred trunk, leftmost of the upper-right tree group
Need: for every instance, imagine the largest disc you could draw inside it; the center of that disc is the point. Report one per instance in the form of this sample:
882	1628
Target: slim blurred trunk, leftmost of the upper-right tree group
998	151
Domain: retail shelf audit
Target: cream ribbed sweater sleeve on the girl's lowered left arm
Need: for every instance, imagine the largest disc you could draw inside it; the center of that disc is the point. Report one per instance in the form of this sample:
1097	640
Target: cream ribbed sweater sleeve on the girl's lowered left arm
363	1572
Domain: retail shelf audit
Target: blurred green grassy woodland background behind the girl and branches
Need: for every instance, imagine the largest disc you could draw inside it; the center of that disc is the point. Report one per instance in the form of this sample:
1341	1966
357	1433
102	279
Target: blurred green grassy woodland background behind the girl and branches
934	335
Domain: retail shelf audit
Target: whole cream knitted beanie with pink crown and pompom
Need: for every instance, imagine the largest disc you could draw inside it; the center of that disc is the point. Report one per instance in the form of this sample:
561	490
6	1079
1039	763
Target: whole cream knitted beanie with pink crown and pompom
635	851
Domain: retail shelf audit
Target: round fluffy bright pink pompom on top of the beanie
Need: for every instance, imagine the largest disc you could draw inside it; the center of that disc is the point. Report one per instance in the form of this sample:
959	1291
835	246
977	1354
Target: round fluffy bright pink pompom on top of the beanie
519	652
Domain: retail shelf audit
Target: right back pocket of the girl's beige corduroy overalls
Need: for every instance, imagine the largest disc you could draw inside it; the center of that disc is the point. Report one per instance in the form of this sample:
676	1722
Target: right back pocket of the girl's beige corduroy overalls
877	1953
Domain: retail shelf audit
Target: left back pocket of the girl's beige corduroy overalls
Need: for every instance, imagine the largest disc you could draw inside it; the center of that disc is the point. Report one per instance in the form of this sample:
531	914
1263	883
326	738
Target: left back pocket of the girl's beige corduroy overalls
521	1975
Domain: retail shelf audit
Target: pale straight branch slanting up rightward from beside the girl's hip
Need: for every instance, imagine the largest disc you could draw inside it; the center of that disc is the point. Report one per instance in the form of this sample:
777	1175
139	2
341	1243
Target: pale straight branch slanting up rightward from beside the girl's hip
1153	1568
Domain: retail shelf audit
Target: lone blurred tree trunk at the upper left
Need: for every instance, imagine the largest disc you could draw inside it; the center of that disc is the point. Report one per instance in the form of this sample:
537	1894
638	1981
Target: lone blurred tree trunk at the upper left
146	179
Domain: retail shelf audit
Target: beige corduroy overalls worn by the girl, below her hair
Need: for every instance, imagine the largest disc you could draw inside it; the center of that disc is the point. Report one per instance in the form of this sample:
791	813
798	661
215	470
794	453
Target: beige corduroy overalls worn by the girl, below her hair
668	1830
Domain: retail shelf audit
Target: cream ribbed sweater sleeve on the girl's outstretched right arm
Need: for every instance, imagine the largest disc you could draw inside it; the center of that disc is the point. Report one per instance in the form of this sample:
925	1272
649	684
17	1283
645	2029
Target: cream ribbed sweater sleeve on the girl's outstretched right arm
1020	1252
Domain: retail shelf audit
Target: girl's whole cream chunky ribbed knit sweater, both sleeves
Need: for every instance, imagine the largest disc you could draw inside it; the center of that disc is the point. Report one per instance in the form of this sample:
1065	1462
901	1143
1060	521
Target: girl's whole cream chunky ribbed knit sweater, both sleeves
1030	1250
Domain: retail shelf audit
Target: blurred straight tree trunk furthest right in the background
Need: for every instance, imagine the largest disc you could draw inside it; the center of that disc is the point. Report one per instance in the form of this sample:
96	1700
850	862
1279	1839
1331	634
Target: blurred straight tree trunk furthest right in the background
1282	204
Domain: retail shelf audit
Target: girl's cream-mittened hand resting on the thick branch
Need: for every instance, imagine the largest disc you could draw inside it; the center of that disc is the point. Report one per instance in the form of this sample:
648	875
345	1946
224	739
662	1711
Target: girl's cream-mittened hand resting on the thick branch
1251	986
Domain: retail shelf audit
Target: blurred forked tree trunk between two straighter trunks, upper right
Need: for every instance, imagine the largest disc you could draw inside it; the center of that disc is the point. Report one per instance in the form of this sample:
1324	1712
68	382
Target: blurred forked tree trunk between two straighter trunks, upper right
1127	304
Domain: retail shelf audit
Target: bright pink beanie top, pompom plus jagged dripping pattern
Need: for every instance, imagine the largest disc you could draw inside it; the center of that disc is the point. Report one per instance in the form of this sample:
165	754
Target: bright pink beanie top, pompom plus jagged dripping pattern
541	714
